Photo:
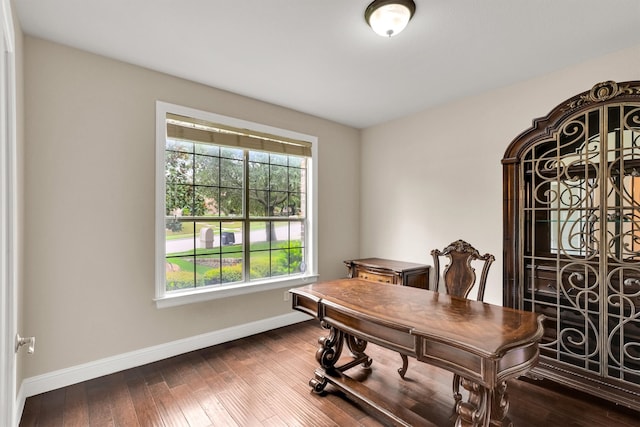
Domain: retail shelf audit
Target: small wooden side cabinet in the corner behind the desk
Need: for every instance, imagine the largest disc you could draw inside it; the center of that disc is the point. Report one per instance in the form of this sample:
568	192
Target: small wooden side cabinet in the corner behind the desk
389	271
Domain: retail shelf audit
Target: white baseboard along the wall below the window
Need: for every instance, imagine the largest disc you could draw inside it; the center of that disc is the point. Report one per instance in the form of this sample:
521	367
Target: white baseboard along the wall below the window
75	374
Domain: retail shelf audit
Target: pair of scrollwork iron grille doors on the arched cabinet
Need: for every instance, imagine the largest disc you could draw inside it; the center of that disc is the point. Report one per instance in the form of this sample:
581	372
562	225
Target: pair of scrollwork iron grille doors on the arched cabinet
580	215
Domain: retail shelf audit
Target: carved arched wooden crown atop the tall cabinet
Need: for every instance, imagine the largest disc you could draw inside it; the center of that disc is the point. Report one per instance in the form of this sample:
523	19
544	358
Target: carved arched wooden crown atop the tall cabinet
601	94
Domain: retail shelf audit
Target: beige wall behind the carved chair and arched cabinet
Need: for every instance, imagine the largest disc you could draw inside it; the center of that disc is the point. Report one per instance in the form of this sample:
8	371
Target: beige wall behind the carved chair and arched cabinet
443	176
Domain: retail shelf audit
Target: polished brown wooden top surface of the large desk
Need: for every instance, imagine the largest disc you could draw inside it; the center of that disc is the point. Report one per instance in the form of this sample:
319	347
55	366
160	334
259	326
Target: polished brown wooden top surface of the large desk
483	328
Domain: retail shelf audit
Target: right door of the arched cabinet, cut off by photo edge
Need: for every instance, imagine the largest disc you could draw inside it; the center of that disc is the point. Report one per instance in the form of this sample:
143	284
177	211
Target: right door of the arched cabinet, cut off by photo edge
622	278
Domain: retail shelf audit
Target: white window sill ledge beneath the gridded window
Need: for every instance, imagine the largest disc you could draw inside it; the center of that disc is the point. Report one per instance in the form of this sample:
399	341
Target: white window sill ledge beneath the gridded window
206	294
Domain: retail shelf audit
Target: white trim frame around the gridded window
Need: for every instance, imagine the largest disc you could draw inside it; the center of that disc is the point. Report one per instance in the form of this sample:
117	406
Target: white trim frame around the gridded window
165	299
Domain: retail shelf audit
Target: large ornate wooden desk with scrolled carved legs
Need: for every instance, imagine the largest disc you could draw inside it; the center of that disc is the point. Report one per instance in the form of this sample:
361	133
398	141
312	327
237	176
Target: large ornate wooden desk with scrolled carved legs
483	343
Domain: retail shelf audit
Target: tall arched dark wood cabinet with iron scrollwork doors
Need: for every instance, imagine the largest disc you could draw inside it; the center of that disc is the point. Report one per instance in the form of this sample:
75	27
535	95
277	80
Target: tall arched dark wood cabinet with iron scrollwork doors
572	239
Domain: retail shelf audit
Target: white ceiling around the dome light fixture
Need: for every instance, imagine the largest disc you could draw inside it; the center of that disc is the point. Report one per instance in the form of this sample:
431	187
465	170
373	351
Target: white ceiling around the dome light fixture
321	58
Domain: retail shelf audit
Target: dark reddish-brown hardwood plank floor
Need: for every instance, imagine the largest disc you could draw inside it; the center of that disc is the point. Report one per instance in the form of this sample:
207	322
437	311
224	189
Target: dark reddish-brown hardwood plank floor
263	381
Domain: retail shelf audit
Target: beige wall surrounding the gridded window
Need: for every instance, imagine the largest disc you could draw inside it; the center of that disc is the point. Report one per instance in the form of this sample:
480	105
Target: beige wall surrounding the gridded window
89	206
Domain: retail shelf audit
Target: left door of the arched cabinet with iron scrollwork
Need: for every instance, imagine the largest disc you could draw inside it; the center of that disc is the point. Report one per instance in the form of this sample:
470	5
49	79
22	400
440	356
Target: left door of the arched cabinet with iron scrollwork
562	205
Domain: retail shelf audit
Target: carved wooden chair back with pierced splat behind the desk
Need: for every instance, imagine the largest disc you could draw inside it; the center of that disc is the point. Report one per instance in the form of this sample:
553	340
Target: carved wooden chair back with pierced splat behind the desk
459	276
